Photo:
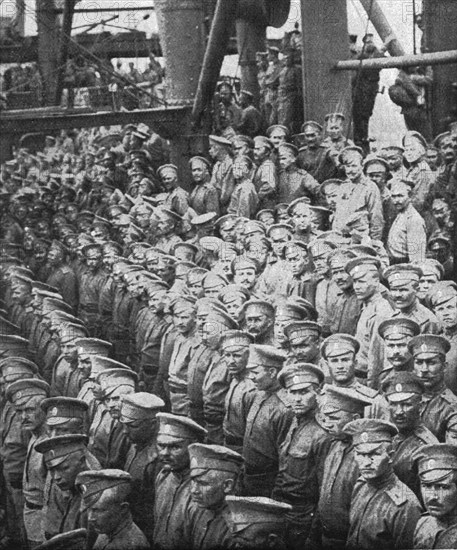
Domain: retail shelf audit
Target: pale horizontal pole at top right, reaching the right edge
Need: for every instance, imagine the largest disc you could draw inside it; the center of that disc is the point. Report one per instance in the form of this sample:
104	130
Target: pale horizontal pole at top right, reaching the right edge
434	58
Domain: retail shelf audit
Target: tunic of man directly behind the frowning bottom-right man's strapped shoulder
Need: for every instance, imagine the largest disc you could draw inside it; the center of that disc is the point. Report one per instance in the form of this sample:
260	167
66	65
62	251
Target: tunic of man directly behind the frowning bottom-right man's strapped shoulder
404	445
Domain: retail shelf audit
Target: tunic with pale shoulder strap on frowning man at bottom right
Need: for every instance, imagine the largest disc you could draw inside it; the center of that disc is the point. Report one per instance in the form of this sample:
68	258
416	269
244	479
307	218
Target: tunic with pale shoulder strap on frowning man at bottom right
383	515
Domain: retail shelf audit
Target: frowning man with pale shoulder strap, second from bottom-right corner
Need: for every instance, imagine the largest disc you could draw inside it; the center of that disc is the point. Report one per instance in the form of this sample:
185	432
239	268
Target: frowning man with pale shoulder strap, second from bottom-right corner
384	512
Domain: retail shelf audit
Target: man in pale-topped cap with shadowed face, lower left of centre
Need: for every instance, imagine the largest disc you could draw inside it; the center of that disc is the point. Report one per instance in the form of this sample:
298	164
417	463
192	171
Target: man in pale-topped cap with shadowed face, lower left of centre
138	417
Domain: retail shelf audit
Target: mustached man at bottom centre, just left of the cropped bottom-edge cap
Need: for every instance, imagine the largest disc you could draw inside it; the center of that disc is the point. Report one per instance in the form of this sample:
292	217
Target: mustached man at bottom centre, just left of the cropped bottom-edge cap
214	473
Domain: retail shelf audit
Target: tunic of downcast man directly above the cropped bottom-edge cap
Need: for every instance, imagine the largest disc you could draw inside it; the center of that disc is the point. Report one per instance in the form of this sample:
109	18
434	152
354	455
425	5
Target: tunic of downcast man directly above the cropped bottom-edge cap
267	425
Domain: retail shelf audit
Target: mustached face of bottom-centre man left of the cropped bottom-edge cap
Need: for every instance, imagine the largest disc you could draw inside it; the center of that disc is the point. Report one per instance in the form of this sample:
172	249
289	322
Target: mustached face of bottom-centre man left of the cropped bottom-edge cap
209	489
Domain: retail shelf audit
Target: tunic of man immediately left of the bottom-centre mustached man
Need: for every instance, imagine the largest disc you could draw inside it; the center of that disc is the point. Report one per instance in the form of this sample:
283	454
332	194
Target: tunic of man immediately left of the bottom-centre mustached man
172	501
